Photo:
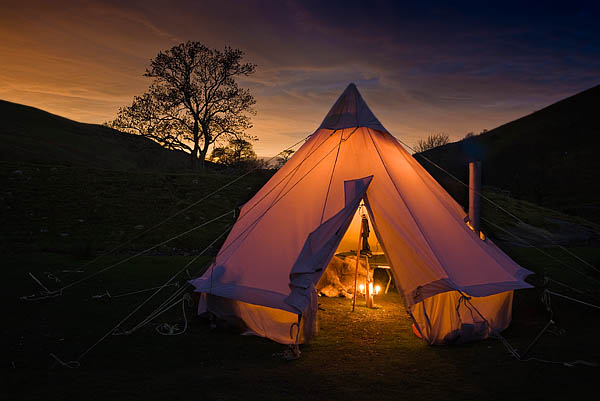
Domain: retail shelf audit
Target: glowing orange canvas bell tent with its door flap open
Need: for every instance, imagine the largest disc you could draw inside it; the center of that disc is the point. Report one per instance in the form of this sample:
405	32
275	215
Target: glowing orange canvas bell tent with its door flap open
456	287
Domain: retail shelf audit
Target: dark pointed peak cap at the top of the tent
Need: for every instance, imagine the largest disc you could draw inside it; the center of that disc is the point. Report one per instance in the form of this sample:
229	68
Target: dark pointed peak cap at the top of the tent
349	111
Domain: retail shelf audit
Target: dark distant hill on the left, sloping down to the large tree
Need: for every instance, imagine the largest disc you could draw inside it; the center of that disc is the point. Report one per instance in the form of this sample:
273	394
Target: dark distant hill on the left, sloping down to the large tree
32	135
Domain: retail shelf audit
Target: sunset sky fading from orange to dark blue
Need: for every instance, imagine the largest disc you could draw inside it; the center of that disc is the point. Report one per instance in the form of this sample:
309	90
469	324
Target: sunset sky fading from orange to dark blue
423	67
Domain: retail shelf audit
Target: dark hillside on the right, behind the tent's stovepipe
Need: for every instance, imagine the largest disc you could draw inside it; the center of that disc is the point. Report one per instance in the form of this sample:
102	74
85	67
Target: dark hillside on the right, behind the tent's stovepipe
549	157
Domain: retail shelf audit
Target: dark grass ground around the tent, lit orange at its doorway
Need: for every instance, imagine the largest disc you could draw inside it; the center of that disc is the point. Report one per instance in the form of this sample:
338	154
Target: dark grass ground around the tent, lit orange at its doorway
368	354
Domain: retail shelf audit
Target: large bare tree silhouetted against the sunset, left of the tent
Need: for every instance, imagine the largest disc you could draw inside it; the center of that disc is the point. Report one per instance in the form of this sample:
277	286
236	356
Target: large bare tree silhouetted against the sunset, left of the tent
193	101
